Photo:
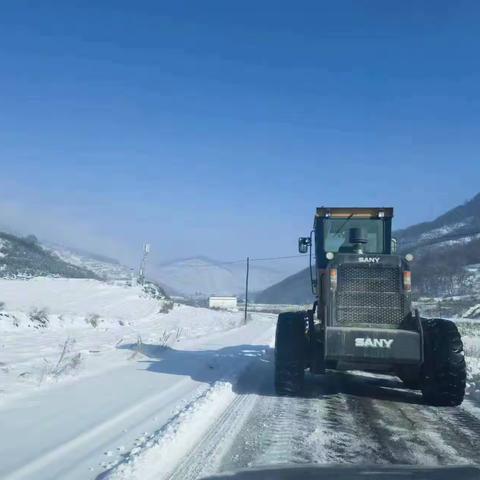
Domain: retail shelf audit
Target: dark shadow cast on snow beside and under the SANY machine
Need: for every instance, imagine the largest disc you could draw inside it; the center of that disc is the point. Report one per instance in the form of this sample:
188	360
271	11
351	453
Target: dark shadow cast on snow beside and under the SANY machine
256	362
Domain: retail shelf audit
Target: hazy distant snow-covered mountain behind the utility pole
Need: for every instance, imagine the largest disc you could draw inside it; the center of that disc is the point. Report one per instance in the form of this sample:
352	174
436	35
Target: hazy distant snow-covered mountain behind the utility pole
203	276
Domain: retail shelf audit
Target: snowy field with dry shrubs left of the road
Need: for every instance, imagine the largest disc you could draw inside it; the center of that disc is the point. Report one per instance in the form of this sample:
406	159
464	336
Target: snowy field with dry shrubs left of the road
56	330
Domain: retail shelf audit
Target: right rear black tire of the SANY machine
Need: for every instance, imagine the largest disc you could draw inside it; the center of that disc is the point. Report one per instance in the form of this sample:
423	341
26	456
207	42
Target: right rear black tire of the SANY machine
444	370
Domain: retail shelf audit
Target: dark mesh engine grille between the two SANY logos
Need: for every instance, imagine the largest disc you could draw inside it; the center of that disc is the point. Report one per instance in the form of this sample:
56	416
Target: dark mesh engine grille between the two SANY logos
369	295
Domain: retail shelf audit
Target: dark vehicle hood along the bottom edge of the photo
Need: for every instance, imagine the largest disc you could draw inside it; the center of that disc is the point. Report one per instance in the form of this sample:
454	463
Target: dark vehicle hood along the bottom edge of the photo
353	472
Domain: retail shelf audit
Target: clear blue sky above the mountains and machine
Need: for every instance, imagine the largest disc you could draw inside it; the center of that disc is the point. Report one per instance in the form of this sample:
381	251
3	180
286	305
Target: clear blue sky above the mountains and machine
217	127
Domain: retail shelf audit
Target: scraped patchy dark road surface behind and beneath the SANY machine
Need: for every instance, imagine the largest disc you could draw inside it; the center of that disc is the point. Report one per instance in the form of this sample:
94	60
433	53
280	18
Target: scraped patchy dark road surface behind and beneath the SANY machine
347	418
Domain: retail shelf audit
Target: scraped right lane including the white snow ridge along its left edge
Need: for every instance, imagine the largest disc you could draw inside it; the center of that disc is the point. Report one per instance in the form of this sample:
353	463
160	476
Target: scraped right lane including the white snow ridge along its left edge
343	417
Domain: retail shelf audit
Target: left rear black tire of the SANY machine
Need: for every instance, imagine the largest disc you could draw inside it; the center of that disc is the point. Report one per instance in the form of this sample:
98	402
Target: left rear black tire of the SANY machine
290	352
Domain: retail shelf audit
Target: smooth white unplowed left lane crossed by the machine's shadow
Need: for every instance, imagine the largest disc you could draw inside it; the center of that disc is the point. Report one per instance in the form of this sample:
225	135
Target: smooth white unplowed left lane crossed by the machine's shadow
79	429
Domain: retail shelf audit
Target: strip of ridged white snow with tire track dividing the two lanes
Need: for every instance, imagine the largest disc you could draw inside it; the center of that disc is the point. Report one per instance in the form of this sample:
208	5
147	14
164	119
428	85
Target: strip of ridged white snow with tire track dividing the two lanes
188	445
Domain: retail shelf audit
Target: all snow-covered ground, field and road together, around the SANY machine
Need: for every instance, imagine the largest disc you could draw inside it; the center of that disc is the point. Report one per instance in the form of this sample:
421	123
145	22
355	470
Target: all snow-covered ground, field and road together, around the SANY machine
106	381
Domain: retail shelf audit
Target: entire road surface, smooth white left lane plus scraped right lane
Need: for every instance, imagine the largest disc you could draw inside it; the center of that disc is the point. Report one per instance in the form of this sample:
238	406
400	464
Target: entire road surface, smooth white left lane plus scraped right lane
208	405
